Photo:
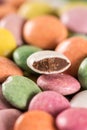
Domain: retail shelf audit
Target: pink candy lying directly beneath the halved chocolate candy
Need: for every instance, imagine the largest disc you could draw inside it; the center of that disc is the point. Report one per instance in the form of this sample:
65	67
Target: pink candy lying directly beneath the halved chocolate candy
61	83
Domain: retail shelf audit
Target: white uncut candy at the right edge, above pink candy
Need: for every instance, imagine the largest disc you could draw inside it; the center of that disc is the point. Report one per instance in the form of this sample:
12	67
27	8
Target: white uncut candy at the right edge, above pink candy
79	100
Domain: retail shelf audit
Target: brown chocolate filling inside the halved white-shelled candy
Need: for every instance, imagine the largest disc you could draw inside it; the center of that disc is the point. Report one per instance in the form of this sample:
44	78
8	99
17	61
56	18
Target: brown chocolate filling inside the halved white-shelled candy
50	64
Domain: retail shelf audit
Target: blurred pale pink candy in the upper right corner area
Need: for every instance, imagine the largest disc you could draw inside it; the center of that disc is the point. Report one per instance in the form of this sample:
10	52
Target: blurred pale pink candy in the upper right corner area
75	19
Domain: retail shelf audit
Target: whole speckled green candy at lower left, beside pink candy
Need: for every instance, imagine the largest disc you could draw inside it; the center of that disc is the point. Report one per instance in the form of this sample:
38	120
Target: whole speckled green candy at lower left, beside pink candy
18	91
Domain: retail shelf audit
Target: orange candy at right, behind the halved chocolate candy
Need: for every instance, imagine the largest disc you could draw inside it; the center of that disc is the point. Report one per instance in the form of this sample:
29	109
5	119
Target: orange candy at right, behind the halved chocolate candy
75	48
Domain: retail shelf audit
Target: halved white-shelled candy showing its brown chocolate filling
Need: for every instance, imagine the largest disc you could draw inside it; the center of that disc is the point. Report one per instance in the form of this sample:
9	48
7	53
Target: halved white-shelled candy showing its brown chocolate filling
48	62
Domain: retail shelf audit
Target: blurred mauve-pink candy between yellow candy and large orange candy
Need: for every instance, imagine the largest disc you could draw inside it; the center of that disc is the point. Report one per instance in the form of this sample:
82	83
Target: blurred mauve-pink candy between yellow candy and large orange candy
14	23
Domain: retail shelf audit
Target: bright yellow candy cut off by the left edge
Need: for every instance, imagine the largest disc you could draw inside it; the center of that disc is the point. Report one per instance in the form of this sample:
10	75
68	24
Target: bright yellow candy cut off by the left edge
7	42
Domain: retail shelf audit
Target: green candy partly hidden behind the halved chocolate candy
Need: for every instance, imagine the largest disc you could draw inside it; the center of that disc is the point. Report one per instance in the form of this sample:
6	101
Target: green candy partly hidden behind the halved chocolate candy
21	54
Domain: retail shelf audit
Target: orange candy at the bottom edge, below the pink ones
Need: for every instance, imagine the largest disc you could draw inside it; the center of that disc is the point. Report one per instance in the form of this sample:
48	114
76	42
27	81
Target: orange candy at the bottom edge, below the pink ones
35	120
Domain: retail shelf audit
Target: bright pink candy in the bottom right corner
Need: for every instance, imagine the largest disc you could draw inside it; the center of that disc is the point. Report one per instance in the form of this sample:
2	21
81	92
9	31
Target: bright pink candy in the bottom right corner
72	119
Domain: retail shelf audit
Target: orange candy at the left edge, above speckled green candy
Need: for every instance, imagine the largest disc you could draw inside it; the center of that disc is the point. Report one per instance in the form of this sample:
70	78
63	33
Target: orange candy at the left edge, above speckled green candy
8	68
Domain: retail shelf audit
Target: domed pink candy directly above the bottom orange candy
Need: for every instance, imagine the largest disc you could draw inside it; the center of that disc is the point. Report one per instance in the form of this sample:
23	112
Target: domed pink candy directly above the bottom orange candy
49	101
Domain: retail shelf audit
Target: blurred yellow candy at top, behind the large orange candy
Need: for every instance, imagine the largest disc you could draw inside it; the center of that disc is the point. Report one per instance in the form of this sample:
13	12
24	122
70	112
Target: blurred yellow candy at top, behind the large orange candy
30	10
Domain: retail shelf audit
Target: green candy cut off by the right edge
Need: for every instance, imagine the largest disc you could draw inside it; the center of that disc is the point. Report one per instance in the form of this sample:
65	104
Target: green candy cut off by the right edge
82	73
